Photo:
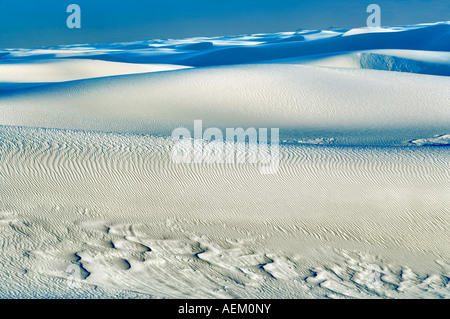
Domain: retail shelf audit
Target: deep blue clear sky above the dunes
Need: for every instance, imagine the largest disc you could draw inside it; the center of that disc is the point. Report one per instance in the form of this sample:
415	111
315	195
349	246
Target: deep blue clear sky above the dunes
31	23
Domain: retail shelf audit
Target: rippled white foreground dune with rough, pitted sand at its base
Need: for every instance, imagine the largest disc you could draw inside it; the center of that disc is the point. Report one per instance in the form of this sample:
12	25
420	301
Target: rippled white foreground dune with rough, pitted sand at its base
355	222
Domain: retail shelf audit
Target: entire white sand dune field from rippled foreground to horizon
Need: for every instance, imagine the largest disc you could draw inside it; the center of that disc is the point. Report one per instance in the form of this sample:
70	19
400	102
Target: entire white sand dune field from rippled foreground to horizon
93	206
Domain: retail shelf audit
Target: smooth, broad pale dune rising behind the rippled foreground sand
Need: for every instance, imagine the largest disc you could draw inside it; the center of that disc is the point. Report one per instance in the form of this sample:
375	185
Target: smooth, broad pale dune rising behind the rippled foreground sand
289	97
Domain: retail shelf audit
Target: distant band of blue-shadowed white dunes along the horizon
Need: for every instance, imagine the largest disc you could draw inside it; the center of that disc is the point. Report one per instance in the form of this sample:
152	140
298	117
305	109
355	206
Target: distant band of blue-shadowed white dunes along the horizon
230	50
